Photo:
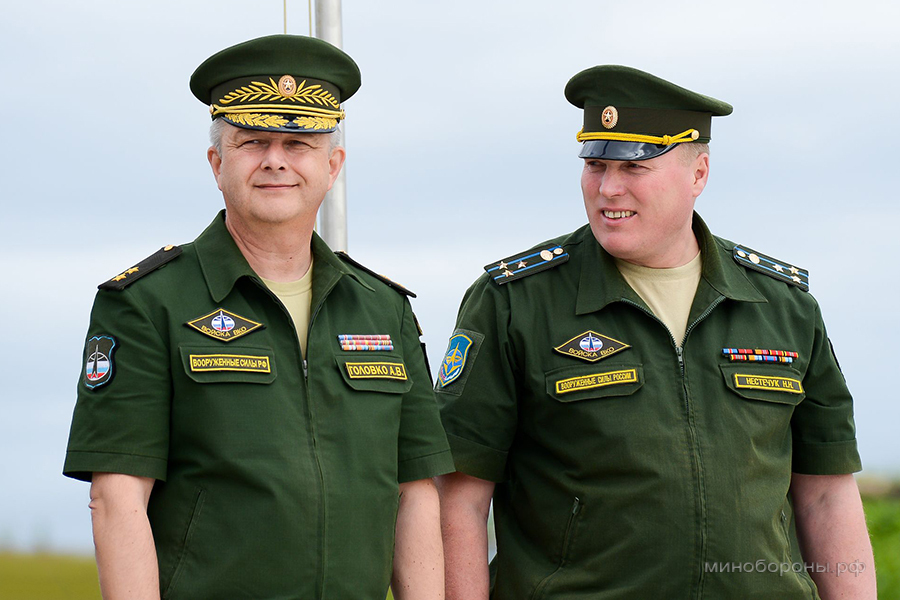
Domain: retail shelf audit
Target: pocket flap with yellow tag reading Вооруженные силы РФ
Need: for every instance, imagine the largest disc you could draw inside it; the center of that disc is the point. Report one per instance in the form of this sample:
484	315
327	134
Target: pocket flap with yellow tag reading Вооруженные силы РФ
241	364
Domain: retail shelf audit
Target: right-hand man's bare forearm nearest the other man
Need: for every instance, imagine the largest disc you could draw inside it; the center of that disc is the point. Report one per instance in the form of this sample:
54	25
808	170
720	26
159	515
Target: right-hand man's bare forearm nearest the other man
465	504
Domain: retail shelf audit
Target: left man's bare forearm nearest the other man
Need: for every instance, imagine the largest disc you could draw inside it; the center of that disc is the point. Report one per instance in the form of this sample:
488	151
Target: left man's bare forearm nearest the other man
418	556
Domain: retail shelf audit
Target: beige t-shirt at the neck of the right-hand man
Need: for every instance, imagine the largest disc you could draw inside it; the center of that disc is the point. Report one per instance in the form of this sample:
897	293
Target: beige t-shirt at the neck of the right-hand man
668	292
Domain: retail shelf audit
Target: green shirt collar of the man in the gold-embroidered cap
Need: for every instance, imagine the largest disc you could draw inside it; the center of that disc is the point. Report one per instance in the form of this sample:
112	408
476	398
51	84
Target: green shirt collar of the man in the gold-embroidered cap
223	263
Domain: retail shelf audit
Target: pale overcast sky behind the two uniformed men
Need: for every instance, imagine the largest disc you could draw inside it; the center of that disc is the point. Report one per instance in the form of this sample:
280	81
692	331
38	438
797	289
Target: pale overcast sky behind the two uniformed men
461	150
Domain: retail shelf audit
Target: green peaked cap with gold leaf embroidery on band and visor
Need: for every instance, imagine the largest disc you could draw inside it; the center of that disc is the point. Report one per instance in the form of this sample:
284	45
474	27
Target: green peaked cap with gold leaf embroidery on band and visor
287	83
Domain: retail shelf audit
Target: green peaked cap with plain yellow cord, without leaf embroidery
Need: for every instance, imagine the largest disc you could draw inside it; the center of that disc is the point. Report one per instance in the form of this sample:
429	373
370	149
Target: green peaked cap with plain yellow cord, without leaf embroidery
633	115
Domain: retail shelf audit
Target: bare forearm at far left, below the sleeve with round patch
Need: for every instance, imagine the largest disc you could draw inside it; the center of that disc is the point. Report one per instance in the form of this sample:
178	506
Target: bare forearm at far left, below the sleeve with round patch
126	554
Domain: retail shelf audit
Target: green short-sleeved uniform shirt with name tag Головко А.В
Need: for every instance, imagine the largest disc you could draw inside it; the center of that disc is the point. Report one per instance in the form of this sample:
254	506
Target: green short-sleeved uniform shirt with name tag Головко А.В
272	482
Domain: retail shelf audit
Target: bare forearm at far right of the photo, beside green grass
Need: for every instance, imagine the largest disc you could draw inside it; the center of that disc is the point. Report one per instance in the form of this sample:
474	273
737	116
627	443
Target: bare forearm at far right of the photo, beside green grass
831	528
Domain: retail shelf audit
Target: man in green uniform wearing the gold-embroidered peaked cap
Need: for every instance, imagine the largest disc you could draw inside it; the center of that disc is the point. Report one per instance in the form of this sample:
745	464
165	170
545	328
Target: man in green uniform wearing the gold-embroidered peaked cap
254	411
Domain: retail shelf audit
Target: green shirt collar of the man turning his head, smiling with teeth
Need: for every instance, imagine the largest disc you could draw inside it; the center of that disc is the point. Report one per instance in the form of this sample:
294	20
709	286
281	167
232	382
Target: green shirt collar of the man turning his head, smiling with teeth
601	283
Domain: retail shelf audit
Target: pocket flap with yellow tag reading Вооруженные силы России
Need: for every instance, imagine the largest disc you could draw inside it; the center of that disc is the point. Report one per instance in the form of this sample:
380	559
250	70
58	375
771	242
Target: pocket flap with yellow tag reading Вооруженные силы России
570	384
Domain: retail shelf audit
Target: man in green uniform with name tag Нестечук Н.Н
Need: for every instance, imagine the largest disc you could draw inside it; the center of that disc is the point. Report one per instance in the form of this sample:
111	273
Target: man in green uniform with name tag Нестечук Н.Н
655	411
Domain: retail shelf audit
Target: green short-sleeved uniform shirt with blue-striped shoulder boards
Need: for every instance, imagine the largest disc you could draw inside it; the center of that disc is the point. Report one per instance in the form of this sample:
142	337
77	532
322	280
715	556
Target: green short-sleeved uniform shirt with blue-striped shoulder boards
637	469
